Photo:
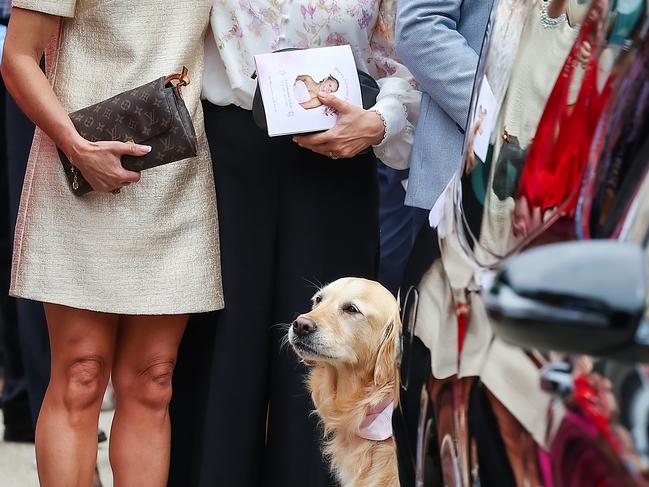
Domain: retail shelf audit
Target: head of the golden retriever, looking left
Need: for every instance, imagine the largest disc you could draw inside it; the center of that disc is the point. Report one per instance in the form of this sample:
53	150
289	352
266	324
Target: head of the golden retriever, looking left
354	322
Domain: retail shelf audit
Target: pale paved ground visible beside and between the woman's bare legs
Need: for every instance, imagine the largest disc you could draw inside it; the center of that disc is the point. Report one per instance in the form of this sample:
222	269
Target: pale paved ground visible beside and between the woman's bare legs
18	466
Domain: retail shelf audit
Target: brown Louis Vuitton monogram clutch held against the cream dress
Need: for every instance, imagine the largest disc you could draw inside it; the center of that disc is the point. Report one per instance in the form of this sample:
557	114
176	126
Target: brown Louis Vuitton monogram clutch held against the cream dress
153	114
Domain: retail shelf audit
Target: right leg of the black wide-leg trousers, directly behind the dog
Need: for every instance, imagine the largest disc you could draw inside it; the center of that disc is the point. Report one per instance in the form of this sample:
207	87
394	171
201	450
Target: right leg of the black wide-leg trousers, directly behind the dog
328	229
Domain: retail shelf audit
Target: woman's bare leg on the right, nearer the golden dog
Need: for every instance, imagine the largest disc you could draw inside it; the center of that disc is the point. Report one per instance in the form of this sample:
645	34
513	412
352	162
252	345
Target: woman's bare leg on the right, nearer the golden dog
145	357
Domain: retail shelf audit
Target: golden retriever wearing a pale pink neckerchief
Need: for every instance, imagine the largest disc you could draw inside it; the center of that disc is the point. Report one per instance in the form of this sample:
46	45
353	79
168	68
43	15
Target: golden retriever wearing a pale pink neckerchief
351	339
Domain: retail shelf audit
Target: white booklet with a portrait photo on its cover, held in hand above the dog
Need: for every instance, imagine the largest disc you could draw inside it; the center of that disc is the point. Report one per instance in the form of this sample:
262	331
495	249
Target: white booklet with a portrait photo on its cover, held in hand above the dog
290	82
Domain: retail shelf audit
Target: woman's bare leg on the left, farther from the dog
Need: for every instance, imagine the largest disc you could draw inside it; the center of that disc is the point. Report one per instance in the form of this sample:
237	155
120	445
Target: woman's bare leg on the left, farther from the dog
82	345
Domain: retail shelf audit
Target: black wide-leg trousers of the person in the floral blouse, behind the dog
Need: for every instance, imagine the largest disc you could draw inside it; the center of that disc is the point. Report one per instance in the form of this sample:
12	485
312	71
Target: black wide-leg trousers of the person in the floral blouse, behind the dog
290	220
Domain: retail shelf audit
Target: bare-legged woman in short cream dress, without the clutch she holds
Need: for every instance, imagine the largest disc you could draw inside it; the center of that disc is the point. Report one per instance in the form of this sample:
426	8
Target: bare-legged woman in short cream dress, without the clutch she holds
118	273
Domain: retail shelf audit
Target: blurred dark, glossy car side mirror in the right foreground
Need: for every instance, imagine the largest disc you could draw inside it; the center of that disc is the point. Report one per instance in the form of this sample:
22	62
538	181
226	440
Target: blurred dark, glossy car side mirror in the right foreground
577	297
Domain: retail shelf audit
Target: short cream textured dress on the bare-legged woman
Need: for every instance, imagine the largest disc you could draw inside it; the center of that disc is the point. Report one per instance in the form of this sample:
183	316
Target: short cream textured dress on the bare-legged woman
153	248
